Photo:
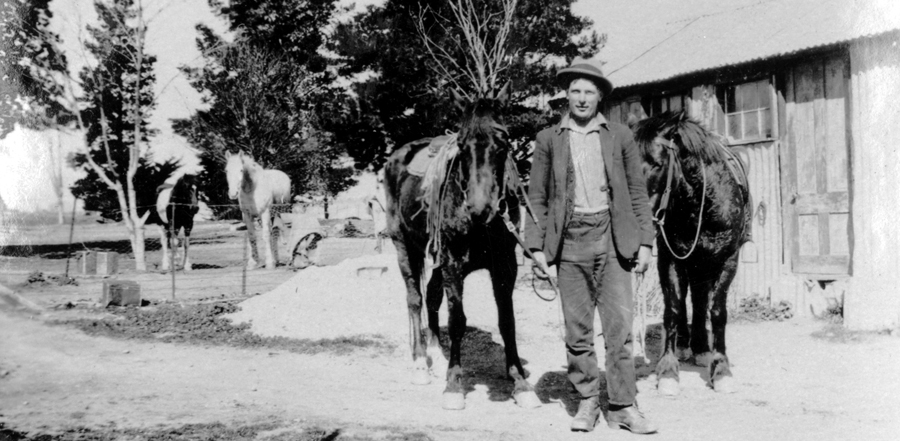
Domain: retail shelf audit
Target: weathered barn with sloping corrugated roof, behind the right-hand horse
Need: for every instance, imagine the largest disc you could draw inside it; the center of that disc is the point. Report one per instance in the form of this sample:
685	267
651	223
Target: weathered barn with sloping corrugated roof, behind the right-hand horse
805	91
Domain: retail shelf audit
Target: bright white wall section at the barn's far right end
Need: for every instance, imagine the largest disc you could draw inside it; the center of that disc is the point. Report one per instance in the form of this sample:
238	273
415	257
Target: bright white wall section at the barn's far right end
873	297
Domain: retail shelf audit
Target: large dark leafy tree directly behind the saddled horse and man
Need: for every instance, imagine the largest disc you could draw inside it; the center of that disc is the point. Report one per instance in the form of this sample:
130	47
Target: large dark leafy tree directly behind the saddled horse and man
407	96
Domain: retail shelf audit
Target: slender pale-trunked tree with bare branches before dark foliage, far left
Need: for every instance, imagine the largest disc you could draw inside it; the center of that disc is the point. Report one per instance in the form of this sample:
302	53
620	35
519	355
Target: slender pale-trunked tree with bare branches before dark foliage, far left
115	107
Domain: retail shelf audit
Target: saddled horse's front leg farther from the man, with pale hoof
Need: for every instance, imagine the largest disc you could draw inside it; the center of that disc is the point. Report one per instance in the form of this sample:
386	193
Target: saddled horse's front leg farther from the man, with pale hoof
454	398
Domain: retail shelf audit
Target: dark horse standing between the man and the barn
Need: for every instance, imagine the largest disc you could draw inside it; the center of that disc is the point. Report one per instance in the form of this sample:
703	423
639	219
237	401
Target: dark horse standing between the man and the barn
701	202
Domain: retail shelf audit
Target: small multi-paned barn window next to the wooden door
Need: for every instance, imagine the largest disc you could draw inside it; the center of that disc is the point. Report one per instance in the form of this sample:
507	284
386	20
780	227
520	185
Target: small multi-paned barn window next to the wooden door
748	111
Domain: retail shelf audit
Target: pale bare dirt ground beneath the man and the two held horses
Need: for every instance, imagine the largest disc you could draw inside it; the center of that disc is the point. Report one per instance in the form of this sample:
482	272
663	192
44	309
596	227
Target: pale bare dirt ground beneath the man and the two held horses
797	379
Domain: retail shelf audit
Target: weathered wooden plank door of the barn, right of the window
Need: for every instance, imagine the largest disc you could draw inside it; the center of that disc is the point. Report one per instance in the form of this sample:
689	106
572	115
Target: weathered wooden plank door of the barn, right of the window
815	167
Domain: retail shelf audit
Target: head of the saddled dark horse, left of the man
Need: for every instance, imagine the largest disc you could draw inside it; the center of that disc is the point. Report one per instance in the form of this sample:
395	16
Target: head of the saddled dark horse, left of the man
483	146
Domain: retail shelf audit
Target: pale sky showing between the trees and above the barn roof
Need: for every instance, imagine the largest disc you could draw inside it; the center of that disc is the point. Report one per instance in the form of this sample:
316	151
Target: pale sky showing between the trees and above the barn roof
630	25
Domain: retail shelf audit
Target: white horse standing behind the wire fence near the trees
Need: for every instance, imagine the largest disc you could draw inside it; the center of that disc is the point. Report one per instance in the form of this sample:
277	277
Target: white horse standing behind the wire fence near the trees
256	189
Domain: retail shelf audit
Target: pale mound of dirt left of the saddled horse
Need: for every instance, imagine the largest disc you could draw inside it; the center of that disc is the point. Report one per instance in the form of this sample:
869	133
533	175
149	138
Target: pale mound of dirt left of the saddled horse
364	296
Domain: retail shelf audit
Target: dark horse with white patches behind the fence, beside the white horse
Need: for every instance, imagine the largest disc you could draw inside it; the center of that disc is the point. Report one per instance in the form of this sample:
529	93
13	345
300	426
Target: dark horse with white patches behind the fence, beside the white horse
176	205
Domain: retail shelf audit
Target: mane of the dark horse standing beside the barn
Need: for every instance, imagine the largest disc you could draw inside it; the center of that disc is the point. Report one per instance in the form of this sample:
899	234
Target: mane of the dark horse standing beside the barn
695	139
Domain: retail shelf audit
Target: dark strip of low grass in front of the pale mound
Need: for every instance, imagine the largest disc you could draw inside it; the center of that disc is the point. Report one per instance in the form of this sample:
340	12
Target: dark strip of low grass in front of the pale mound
203	324
